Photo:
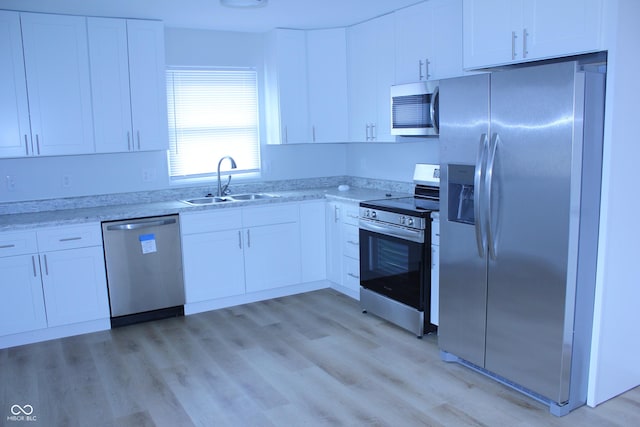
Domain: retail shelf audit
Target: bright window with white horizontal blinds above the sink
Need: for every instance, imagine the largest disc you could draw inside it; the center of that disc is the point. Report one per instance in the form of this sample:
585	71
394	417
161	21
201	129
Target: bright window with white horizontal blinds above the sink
213	112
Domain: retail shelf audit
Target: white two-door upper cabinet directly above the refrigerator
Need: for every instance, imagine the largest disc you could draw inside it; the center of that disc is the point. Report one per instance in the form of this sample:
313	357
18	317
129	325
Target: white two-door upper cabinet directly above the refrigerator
500	32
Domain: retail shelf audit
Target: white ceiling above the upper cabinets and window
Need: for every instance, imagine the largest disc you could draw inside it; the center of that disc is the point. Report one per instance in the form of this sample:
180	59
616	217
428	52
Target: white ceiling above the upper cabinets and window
209	14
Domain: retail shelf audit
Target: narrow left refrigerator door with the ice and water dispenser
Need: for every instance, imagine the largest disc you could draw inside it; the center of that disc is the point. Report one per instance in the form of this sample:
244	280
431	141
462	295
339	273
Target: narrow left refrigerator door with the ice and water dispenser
464	112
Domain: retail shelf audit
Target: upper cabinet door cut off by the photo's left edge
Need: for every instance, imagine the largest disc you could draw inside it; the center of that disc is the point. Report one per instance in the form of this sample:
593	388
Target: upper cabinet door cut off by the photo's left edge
15	133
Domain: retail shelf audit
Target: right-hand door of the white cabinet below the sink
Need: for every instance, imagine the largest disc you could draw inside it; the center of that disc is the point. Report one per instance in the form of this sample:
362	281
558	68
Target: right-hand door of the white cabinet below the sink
272	256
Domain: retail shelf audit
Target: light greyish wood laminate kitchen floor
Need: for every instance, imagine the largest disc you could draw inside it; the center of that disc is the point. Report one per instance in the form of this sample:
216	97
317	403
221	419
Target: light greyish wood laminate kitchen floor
306	360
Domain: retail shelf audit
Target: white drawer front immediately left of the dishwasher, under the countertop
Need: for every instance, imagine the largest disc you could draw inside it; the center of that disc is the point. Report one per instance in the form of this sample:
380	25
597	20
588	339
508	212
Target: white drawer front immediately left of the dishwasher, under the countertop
80	236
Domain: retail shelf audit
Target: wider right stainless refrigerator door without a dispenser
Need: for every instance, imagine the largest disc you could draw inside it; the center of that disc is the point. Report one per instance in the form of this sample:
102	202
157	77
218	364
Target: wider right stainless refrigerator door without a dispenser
532	112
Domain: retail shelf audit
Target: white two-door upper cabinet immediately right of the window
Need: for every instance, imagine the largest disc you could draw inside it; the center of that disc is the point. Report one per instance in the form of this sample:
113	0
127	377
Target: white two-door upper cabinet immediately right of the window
307	86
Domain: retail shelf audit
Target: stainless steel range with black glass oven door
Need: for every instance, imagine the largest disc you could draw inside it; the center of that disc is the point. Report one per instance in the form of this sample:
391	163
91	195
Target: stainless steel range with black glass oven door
395	253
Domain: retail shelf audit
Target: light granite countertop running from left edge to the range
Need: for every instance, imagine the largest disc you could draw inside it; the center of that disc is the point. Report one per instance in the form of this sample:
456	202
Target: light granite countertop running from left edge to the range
49	218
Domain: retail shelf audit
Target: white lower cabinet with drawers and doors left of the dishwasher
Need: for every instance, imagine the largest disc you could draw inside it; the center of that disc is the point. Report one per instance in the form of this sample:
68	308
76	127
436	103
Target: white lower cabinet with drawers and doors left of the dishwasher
51	277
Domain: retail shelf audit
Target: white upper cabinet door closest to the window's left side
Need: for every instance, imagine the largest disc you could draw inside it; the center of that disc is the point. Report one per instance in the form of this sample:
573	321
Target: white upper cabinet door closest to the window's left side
148	87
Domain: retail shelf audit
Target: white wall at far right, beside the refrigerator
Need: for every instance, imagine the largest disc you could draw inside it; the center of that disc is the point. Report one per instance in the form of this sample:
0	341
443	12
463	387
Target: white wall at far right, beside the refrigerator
615	354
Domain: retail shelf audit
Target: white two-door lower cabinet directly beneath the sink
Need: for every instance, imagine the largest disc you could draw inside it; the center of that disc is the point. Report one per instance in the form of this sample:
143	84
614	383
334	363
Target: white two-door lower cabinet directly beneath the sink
231	252
